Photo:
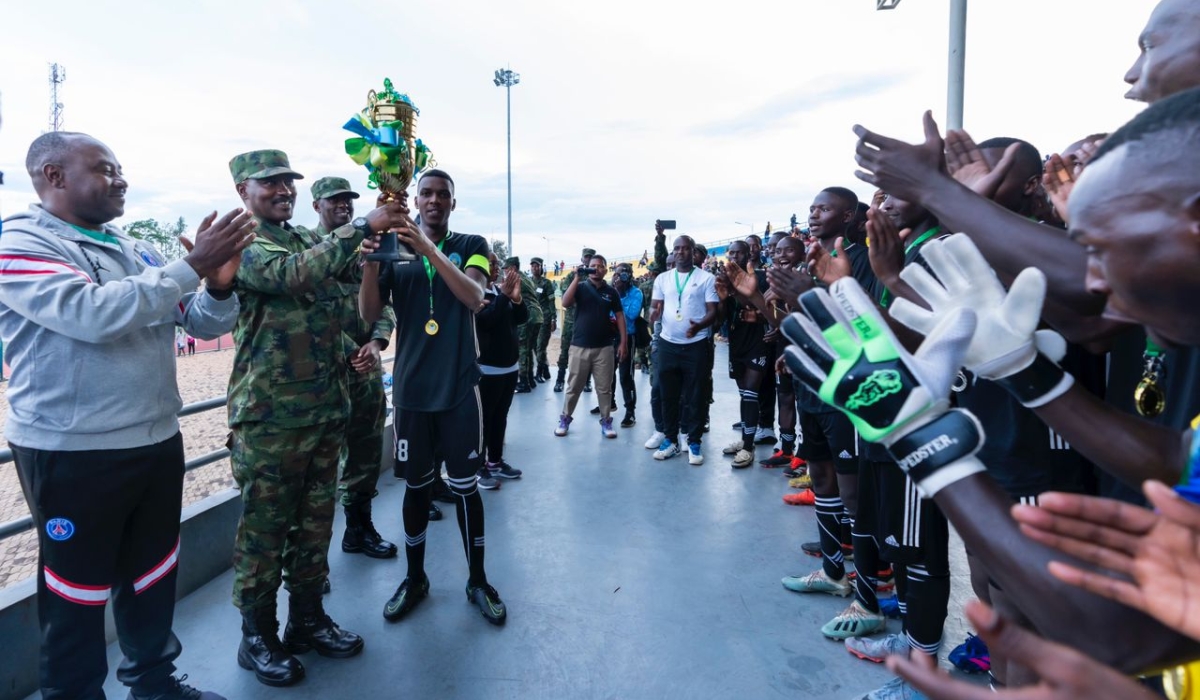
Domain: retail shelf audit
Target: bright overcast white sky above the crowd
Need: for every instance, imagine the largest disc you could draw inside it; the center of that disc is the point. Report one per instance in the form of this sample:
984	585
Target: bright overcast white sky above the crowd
627	111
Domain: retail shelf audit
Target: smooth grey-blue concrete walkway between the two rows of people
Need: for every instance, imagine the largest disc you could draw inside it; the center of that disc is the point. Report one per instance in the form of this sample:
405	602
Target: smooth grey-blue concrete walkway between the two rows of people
625	578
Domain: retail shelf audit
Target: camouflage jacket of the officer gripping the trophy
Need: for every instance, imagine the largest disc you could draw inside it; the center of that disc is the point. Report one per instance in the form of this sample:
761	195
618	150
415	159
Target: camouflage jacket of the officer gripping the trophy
290	363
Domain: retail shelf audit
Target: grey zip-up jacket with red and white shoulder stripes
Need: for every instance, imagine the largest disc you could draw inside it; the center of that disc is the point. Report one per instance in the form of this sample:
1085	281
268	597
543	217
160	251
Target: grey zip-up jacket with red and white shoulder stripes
88	325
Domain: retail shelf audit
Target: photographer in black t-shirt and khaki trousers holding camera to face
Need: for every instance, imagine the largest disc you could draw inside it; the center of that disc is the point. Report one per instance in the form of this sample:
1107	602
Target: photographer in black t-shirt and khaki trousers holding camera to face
596	304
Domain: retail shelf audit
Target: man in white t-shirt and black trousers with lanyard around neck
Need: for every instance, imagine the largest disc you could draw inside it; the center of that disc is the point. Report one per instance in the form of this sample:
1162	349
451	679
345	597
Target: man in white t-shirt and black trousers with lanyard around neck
685	301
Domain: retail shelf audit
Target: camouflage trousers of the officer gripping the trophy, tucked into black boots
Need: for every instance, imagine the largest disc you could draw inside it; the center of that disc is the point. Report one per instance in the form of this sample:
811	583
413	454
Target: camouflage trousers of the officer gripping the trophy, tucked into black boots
287	477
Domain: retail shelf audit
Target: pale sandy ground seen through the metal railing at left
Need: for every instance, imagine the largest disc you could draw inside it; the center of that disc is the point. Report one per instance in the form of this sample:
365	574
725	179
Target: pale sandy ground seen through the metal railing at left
202	376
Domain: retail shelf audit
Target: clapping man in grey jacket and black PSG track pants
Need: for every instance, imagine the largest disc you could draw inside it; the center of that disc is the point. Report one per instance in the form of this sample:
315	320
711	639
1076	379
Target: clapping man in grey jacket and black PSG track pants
88	318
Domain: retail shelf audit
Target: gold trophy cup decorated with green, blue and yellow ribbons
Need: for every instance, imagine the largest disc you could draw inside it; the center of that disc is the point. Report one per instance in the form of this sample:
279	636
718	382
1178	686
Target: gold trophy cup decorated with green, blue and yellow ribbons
388	146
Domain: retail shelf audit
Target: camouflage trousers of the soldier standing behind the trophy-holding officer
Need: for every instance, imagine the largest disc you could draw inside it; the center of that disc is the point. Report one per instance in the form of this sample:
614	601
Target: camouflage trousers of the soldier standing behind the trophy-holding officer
364	440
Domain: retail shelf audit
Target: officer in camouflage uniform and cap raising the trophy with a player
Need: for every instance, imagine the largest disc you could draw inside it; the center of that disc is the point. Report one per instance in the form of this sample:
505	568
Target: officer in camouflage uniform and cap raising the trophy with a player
289	408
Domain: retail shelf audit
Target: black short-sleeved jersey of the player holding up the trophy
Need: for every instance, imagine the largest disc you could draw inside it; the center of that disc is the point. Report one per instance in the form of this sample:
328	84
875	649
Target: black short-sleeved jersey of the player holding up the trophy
434	373
